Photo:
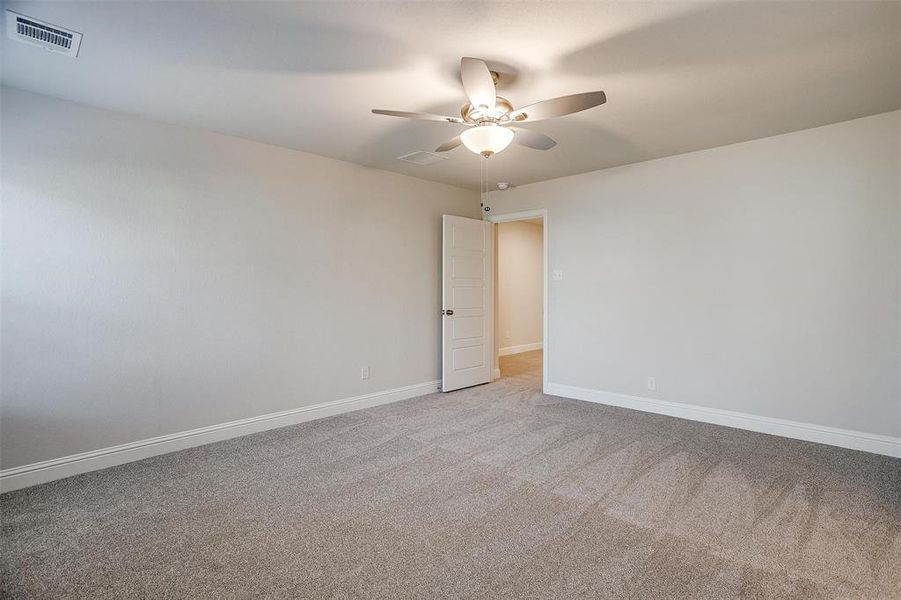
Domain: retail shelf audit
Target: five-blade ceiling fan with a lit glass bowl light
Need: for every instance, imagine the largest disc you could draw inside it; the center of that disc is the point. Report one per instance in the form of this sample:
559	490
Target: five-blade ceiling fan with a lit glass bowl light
490	118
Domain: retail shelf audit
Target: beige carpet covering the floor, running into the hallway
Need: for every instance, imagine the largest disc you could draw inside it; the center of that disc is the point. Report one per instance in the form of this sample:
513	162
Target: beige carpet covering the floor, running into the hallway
496	491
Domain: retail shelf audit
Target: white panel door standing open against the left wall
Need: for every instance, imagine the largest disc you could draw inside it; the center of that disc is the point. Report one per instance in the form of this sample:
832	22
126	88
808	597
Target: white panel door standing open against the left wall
467	340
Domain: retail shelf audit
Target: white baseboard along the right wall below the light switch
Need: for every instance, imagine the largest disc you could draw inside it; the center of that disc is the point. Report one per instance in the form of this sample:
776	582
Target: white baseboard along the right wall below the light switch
844	438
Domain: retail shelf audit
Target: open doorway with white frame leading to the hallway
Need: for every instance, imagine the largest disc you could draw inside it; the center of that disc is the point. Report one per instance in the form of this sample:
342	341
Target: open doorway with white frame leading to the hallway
520	296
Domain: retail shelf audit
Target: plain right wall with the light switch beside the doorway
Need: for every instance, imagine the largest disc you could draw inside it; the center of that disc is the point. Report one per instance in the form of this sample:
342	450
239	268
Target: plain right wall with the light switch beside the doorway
761	277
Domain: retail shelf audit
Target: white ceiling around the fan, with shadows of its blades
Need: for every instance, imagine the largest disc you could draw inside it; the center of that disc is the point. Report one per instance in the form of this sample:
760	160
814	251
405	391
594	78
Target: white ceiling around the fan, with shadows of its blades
678	76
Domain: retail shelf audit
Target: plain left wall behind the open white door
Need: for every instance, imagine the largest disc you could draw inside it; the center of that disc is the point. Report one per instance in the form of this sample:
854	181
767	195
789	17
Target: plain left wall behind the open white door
158	279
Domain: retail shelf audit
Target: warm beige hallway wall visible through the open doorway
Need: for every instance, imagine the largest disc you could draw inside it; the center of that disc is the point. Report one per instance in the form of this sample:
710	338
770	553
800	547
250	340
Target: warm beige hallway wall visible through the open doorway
520	281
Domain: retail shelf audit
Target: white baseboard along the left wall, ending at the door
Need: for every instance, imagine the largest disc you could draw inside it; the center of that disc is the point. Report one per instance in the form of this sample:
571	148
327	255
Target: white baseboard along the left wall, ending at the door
66	466
